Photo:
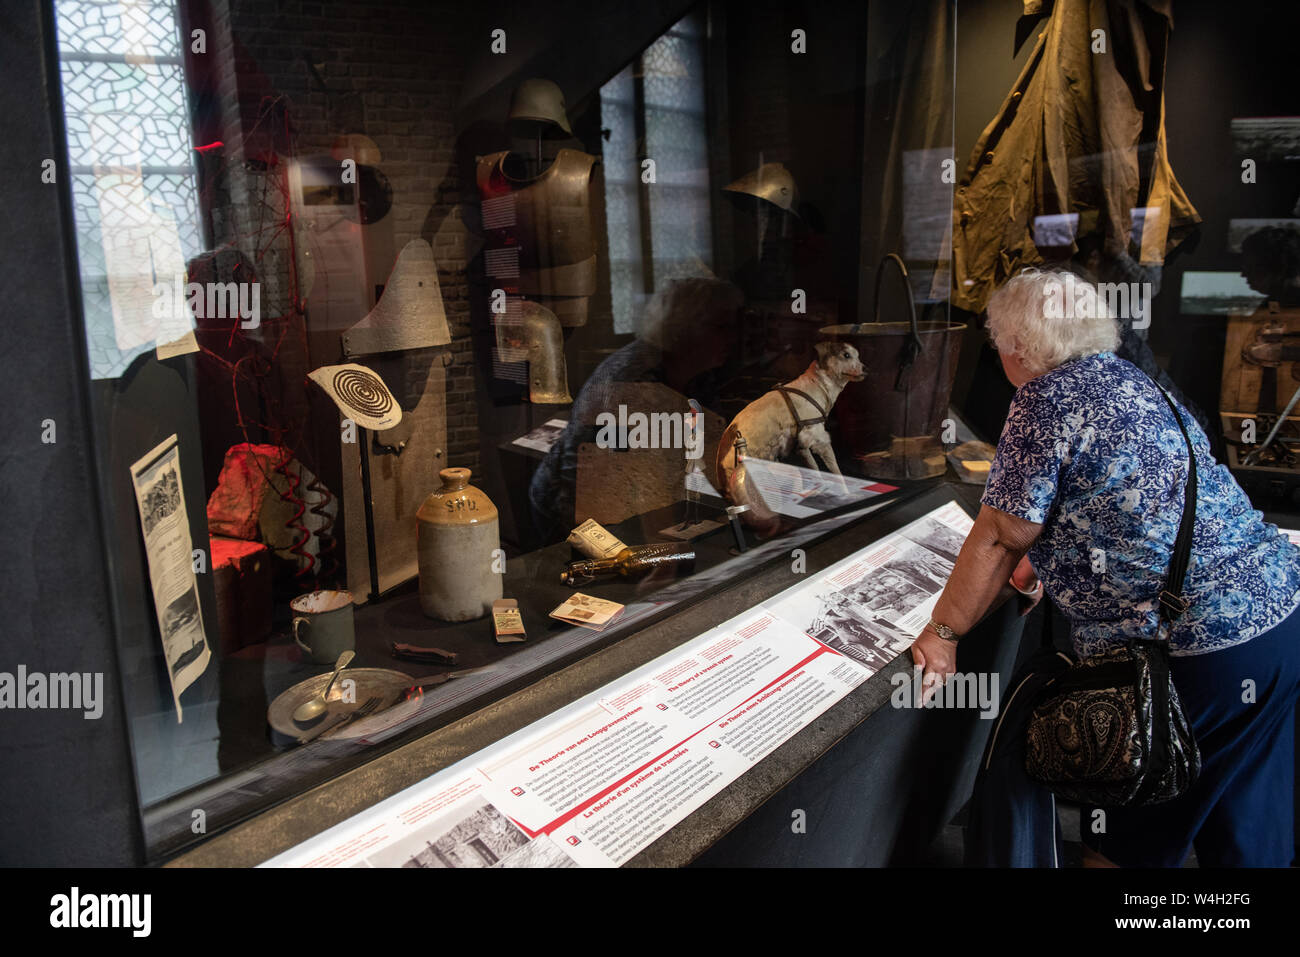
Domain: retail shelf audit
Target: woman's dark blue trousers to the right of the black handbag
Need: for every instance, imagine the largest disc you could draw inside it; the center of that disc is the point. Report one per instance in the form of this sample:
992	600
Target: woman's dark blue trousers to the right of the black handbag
1241	812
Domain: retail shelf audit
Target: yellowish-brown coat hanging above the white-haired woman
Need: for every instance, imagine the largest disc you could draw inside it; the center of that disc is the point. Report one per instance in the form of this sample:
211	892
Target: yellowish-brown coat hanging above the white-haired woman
1077	148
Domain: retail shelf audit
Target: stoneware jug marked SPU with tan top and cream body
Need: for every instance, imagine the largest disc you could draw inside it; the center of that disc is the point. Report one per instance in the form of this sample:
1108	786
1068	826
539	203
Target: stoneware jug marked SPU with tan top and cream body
461	575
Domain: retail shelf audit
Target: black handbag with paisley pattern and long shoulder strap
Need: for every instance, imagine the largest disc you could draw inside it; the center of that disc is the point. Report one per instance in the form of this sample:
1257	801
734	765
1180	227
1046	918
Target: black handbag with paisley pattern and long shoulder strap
1111	730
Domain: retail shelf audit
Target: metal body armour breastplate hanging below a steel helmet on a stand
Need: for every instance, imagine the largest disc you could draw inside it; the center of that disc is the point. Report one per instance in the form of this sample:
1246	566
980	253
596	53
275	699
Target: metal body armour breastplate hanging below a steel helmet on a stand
538	232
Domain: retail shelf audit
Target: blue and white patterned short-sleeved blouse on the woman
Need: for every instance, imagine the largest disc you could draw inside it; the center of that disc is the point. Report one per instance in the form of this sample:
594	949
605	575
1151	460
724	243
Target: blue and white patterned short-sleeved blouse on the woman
1093	453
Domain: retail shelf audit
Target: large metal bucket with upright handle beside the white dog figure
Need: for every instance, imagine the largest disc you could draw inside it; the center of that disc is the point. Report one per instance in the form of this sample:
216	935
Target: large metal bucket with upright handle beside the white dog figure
891	422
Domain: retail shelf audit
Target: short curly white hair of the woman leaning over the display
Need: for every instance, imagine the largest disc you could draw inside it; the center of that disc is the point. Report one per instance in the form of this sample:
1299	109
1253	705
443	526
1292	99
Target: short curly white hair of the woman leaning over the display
1048	318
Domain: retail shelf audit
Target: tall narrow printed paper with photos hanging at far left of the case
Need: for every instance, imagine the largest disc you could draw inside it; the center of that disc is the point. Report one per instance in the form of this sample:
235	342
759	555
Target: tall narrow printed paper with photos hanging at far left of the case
171	555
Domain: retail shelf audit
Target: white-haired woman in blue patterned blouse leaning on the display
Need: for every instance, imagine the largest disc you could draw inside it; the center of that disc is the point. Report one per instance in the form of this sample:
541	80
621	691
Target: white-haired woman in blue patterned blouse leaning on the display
1089	483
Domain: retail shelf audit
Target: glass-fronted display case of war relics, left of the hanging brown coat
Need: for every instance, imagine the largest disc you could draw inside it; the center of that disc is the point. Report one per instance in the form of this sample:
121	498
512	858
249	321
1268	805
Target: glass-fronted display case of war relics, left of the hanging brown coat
452	352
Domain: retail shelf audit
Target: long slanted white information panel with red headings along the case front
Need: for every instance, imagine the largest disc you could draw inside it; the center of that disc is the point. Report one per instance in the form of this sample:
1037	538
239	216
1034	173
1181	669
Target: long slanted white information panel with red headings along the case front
600	781
